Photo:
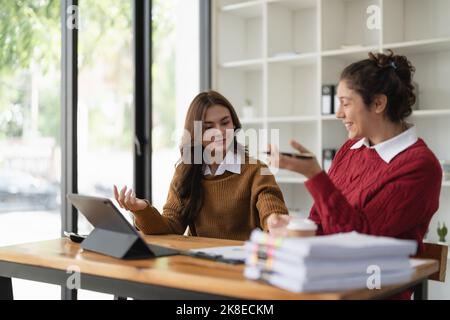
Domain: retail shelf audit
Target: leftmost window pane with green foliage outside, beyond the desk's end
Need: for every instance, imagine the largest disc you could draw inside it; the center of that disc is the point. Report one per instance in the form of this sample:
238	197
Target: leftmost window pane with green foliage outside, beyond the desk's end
30	153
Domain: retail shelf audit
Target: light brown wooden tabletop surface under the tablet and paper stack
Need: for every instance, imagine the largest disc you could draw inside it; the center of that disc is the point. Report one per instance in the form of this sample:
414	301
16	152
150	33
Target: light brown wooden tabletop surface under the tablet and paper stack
182	272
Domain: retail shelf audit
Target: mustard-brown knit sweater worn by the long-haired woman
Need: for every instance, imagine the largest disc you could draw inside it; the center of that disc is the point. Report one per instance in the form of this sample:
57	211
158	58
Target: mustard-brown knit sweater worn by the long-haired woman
233	205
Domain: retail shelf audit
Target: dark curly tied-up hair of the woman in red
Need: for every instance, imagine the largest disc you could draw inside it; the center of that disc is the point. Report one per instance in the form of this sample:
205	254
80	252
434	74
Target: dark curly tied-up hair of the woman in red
387	74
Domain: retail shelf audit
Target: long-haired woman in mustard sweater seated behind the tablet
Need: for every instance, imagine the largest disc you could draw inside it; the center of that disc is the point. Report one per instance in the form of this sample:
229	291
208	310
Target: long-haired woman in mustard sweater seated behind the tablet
217	191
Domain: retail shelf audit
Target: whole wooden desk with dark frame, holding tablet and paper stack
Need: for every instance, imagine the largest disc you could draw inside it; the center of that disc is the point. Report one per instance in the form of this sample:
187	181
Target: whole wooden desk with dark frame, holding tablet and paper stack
176	277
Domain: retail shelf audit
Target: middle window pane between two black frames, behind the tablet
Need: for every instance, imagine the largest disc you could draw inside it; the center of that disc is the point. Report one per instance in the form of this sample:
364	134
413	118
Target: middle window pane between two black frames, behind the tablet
105	102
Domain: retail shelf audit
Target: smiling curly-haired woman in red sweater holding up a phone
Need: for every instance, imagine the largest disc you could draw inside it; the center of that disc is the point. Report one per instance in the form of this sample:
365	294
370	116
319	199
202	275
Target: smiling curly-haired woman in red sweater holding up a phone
384	180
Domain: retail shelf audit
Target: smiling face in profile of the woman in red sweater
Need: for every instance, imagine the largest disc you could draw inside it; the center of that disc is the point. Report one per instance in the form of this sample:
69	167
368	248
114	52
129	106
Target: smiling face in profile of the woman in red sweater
359	120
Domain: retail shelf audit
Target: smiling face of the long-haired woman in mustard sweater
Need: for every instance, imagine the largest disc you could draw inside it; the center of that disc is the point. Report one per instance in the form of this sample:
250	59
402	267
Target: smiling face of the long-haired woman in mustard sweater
218	128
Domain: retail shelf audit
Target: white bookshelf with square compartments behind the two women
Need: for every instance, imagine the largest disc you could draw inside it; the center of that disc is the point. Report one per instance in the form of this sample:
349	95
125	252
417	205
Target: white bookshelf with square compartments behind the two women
279	53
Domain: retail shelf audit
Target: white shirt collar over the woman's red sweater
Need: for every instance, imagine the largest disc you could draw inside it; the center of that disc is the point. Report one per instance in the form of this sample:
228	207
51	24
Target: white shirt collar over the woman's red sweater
388	149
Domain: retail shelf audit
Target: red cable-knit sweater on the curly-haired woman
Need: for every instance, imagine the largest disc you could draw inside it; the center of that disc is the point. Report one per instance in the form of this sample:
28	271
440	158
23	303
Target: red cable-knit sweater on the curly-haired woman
365	194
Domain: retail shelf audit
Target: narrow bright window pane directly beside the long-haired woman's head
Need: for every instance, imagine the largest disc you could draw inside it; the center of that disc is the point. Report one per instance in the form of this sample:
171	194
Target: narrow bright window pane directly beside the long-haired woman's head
175	76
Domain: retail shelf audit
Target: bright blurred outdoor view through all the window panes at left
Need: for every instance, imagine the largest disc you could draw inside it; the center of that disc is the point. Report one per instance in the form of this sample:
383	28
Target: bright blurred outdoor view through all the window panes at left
30	110
